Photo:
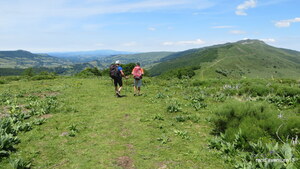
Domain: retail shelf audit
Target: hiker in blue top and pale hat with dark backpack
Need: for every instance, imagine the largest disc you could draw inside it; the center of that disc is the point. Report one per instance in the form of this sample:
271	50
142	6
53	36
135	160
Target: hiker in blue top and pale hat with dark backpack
116	73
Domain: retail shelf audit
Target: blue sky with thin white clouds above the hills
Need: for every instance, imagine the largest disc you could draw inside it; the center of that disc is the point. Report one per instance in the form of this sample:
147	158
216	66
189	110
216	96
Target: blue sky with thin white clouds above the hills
145	25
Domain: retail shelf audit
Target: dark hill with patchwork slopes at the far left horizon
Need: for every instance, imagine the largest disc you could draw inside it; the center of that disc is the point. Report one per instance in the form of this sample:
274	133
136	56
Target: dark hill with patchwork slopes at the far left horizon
25	59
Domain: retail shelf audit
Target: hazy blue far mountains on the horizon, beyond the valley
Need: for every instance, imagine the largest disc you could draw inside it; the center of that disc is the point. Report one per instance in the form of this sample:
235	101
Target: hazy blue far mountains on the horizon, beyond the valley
87	56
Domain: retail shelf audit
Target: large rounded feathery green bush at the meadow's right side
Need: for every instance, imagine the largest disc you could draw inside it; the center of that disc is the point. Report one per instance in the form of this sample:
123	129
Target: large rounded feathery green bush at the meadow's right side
256	120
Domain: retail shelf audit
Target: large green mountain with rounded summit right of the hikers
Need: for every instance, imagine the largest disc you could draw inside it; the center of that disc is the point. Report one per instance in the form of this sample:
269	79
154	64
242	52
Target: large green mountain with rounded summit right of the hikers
248	58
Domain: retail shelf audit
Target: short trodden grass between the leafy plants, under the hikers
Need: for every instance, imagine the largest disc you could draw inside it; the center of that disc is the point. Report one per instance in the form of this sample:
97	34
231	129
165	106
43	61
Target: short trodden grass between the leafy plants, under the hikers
114	132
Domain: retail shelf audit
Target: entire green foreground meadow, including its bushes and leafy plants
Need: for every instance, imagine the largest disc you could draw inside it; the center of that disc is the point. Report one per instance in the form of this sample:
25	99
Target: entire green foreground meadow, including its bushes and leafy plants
73	122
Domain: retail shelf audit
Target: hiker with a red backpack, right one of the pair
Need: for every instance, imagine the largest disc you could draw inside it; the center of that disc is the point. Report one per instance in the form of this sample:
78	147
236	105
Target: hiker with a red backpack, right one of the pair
138	73
